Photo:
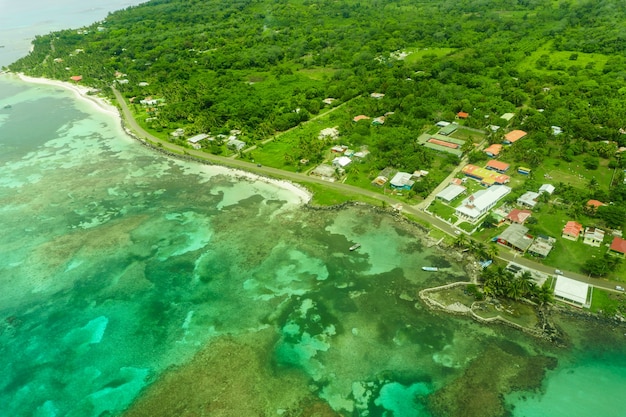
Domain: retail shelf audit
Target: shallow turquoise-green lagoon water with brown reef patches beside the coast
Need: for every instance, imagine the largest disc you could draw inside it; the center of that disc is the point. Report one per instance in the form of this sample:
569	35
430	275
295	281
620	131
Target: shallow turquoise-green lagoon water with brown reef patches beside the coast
129	276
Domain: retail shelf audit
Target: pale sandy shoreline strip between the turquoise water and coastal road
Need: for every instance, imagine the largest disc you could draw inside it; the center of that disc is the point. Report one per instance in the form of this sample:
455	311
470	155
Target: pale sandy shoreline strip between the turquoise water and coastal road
301	195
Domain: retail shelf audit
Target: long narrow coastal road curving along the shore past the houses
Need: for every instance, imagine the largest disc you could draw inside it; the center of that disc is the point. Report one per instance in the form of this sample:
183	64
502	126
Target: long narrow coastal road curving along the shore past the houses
416	211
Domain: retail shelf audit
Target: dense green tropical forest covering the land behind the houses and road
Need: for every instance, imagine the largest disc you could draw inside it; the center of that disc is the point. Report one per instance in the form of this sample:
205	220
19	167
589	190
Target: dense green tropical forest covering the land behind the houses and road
264	66
